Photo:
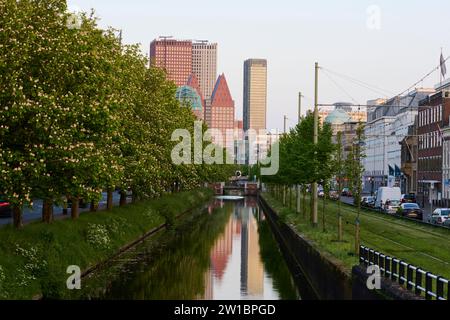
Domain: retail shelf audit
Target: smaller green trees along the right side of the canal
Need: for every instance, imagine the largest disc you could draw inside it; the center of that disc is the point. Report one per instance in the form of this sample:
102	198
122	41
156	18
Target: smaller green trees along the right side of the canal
328	162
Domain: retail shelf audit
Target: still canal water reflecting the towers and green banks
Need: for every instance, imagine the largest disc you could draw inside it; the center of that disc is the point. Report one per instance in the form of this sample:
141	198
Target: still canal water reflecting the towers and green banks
225	250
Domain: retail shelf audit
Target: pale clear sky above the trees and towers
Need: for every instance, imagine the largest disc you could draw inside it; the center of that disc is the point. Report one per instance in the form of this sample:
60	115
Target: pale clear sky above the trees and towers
387	44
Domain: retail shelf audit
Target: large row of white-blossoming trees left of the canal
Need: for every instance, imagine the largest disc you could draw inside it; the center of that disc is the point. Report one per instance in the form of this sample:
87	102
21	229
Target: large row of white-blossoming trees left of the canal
80	113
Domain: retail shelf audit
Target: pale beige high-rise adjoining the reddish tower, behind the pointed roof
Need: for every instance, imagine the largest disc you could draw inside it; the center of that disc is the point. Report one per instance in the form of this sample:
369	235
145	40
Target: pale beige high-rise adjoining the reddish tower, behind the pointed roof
204	66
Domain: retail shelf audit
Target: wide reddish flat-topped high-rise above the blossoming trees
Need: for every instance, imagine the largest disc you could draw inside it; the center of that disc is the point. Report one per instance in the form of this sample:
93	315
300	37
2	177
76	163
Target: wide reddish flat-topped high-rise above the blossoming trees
173	56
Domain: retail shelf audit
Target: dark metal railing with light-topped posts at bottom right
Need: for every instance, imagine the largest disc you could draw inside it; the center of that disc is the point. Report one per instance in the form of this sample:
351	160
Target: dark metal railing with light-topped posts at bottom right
413	278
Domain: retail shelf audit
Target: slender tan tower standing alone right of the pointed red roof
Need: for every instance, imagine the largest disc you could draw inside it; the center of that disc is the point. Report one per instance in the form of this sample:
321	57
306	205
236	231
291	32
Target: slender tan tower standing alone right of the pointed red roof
255	94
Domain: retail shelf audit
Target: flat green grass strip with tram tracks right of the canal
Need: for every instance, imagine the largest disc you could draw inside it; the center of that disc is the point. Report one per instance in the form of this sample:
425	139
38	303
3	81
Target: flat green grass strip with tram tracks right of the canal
421	245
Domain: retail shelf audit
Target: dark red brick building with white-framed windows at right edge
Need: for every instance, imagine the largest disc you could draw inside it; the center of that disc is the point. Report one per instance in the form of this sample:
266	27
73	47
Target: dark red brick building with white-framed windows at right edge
434	113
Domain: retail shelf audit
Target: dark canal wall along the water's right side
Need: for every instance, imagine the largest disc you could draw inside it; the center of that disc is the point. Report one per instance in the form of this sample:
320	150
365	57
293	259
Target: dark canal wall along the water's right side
327	277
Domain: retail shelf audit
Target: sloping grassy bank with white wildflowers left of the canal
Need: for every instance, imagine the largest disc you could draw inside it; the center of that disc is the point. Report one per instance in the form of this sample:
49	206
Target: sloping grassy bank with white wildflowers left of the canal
34	260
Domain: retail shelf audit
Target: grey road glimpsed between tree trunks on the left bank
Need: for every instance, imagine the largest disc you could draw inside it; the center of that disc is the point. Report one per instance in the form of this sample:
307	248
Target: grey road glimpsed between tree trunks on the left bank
35	213
